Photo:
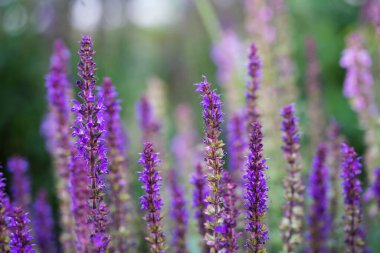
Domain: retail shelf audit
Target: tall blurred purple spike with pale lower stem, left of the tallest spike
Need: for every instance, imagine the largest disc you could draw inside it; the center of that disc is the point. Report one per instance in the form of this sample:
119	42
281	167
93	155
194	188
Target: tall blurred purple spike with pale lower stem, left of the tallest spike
58	137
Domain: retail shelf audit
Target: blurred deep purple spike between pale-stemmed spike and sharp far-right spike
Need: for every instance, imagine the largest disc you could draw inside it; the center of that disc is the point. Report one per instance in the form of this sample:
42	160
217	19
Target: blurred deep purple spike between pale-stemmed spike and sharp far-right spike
319	219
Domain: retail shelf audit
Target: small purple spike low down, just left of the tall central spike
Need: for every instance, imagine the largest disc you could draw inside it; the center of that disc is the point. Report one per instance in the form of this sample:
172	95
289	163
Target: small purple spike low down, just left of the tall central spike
199	201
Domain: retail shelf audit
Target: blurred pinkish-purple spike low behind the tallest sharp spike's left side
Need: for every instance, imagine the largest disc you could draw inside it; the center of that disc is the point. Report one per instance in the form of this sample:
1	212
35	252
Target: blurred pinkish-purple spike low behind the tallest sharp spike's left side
80	194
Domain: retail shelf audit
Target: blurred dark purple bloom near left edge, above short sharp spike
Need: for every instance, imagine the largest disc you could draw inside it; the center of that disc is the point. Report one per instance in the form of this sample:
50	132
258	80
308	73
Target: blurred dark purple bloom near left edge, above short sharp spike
20	187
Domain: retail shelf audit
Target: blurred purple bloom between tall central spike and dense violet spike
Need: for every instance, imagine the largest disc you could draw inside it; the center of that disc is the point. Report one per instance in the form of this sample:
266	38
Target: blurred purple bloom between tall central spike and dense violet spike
236	145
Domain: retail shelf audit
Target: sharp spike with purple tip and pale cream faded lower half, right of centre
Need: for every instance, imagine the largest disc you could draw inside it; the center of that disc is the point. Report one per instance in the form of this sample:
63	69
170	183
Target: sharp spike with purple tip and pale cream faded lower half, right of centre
291	224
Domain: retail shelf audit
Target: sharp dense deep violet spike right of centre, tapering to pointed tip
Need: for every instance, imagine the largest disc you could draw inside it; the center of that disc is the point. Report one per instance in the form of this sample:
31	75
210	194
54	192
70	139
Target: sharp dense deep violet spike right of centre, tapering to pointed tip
256	195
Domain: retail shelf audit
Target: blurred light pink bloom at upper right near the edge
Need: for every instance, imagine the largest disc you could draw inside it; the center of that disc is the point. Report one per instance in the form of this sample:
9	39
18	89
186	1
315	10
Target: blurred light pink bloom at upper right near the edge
358	82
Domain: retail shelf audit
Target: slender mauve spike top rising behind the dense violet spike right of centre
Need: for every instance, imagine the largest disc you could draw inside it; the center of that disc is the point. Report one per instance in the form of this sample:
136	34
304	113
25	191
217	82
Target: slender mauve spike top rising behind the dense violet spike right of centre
251	96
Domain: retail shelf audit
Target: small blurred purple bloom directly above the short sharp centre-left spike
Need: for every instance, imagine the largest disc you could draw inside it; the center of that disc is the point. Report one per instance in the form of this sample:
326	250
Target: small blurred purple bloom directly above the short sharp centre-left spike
146	119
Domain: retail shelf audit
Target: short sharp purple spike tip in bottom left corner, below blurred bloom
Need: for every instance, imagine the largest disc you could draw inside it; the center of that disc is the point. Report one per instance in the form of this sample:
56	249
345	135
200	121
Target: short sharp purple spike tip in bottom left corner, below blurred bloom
19	231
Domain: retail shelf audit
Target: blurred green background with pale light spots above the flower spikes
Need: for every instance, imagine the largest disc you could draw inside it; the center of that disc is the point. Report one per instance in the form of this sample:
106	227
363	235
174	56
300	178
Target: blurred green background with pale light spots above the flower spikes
168	41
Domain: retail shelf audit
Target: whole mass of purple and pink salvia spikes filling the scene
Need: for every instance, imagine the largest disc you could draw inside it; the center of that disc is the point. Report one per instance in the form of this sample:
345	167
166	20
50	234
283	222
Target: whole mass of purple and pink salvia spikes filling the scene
203	194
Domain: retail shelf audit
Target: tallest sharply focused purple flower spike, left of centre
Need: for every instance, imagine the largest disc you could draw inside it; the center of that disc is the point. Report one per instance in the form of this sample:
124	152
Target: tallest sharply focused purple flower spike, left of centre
88	129
